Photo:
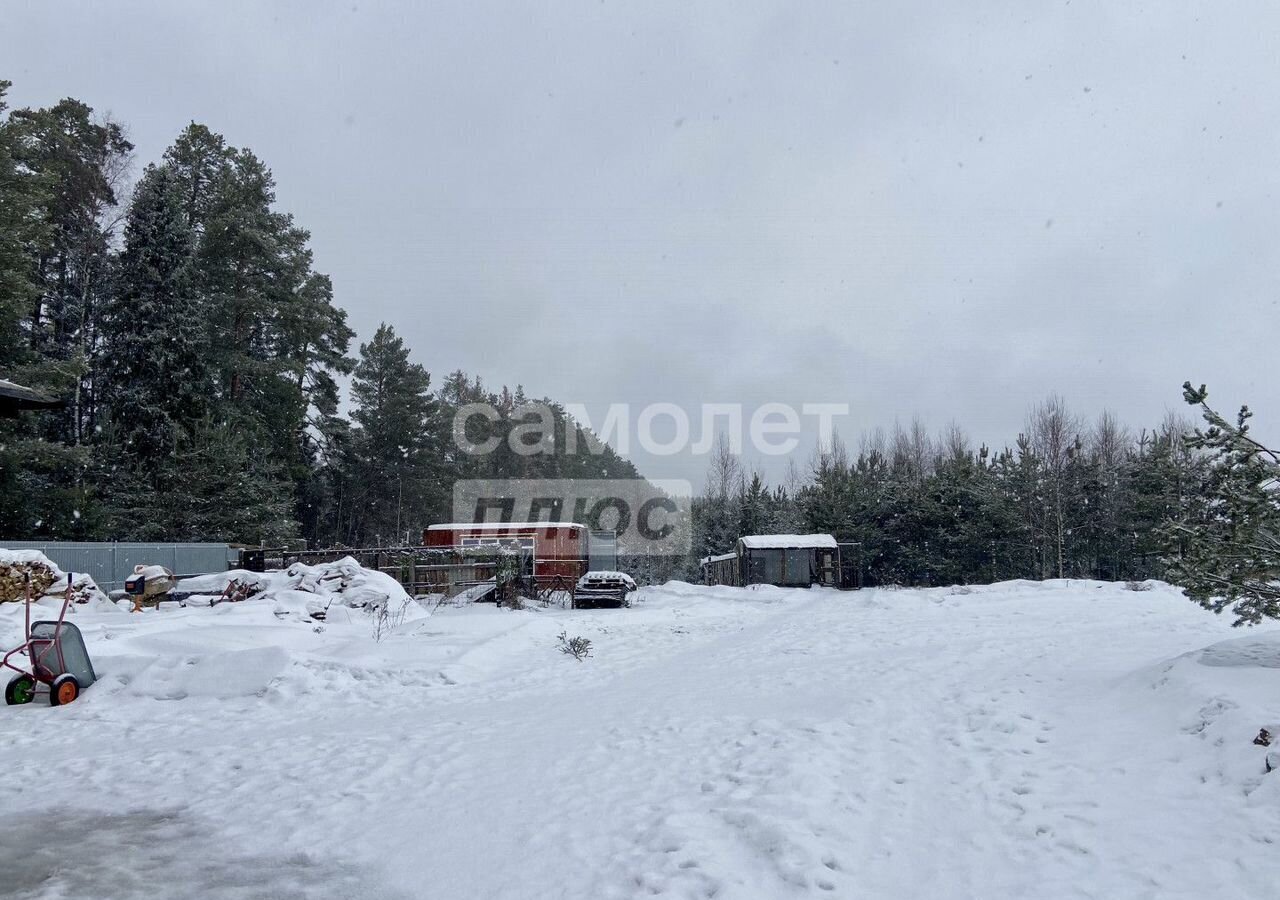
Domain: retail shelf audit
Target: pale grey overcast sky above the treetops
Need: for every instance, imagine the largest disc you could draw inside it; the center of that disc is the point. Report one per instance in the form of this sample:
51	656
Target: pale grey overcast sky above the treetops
945	211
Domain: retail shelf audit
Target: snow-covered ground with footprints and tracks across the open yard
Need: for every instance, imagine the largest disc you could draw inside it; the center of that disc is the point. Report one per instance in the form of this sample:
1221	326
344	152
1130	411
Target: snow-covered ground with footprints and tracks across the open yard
1049	741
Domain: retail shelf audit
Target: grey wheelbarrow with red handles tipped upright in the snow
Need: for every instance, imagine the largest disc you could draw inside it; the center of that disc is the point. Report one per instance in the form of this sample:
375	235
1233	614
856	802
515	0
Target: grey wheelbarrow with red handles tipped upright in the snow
57	659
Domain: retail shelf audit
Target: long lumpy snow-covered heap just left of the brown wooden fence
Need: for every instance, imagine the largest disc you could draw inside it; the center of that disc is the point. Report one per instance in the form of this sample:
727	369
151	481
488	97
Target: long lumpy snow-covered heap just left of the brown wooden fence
344	583
